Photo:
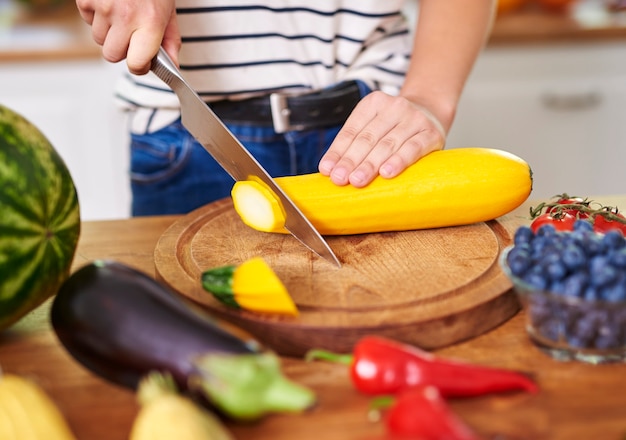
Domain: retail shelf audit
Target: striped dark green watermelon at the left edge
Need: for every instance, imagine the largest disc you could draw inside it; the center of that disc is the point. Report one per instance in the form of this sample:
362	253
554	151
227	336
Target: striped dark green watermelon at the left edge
39	218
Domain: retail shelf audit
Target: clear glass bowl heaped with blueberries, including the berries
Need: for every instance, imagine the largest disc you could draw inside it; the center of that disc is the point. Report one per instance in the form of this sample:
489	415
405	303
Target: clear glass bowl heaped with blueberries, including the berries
572	285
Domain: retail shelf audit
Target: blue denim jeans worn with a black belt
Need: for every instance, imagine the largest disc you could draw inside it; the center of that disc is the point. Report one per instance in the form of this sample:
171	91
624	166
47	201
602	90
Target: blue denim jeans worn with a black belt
171	173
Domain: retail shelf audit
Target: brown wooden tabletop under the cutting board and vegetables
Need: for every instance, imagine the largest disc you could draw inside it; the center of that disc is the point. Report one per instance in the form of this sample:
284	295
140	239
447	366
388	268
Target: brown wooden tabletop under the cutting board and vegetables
577	401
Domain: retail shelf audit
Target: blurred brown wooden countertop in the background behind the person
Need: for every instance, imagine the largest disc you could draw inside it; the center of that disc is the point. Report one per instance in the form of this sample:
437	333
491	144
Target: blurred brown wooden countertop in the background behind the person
60	33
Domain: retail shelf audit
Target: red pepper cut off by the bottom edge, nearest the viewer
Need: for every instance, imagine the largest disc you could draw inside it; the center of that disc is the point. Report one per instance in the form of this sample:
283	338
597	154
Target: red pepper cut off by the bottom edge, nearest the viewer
421	413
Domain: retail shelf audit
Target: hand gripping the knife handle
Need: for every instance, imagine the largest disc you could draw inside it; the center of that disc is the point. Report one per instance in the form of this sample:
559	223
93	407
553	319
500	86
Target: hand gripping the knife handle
132	30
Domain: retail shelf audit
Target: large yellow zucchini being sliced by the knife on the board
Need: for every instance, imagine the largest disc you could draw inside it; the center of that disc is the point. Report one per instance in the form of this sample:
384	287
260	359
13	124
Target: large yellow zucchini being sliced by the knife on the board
445	188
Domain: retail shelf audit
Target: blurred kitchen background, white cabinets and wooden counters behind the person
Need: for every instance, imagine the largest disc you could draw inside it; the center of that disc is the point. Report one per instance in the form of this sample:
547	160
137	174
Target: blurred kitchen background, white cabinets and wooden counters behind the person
550	87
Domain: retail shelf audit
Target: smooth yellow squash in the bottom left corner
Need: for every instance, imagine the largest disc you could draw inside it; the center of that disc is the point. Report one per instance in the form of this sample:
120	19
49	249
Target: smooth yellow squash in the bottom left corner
28	413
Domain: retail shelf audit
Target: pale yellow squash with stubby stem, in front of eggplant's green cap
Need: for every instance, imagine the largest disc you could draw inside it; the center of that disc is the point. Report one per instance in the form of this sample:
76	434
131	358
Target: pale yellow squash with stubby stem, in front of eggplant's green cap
167	415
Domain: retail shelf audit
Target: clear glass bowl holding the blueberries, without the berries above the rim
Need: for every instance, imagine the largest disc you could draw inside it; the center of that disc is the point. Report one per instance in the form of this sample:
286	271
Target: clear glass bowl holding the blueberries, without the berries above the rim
571	328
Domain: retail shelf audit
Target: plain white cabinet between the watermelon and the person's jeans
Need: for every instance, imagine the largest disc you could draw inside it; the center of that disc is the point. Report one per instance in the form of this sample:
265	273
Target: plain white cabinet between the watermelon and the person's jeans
71	102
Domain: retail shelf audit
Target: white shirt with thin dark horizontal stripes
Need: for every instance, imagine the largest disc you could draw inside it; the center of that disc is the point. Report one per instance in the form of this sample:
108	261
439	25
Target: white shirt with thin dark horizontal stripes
238	49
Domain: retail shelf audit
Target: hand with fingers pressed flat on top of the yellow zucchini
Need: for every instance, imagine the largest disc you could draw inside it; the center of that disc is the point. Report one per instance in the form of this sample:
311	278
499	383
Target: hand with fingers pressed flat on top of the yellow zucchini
383	135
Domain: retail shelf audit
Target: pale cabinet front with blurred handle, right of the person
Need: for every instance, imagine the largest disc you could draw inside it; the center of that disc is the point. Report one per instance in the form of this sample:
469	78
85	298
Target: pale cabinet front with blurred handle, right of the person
561	107
